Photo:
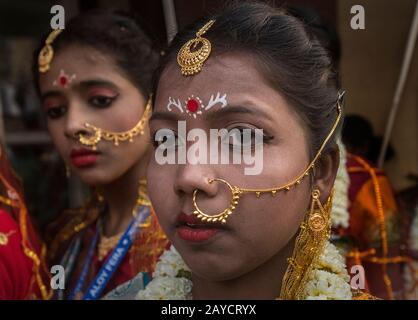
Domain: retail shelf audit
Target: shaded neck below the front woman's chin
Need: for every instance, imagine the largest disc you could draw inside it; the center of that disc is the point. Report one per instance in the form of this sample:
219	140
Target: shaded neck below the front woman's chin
261	283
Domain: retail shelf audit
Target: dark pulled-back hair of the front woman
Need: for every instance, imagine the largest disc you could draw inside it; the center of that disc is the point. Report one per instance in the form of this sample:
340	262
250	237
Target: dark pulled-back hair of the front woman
288	54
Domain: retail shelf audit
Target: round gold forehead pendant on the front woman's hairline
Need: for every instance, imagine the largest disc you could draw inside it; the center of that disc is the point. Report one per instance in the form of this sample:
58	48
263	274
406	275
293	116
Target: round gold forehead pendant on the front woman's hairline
195	52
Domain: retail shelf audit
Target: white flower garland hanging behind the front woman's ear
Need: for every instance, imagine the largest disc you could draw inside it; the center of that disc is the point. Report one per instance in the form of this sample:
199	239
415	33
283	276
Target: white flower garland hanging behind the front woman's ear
339	214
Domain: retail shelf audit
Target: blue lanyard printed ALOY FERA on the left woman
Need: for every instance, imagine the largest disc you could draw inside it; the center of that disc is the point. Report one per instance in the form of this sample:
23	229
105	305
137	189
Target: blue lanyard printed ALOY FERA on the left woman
111	264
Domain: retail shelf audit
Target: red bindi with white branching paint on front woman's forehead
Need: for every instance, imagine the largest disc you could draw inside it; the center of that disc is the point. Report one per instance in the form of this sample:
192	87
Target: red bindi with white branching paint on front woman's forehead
194	106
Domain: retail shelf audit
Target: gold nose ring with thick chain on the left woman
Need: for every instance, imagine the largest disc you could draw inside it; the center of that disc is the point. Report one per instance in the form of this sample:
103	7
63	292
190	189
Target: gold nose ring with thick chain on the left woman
115	137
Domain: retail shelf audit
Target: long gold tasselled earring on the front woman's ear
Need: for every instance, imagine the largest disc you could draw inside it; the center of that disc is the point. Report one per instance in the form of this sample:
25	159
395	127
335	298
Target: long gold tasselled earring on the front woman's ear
314	231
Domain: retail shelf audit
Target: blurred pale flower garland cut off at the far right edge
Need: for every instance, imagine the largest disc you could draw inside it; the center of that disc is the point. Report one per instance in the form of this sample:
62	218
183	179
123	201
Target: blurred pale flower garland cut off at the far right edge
411	292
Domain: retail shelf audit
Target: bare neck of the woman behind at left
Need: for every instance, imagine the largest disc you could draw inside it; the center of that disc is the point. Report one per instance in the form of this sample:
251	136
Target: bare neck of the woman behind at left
120	196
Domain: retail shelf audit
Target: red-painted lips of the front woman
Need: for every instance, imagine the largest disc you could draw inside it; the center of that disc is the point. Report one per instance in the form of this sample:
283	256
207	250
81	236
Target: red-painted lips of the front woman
192	229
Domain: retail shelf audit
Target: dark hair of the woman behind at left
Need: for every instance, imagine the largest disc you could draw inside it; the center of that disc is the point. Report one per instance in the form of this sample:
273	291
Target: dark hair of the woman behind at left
116	34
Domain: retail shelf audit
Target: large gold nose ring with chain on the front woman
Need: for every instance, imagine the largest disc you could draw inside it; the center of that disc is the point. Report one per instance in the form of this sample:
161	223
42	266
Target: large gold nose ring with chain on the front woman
237	192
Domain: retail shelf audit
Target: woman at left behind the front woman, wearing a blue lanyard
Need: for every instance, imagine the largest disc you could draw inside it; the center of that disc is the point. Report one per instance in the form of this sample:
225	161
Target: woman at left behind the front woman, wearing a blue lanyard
94	81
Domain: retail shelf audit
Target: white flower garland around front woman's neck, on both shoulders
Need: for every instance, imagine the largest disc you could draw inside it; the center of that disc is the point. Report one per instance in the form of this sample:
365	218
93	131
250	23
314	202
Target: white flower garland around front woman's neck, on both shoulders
327	281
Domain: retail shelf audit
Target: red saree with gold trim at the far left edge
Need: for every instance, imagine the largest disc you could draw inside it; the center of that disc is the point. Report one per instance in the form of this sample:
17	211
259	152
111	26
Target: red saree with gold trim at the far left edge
23	273
